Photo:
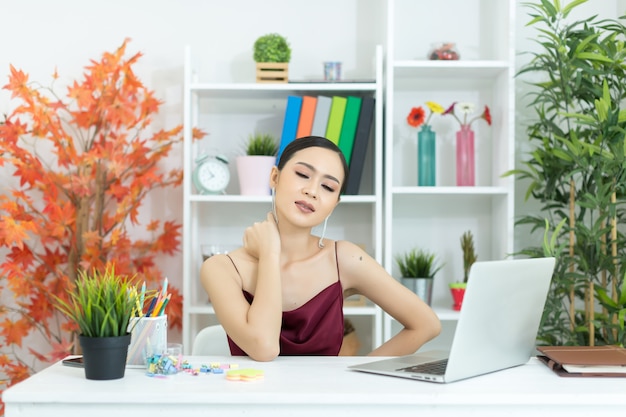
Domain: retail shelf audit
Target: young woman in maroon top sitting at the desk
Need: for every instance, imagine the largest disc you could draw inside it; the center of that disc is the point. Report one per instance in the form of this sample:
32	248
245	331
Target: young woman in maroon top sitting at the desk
282	292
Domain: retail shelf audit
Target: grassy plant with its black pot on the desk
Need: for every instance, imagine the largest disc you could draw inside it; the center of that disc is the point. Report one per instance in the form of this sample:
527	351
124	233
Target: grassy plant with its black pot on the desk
101	305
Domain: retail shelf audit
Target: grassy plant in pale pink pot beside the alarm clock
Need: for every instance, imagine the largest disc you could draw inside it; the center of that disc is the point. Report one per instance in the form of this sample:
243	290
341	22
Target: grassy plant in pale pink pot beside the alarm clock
255	166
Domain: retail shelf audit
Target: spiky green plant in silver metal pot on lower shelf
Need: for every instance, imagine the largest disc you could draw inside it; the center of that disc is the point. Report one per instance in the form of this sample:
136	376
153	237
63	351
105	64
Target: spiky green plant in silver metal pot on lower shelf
418	268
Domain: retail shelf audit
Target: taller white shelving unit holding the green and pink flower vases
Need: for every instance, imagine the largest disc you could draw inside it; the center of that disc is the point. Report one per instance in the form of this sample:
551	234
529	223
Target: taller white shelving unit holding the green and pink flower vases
434	218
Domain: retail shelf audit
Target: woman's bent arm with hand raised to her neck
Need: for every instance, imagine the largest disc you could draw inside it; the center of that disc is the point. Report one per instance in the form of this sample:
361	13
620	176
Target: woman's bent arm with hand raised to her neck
254	328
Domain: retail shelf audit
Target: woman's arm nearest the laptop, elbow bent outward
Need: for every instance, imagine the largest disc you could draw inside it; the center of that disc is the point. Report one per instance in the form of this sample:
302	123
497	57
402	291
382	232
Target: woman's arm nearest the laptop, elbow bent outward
361	274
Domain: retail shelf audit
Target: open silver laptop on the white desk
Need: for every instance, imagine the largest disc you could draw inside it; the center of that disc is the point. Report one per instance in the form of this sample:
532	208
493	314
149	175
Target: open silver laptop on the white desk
497	326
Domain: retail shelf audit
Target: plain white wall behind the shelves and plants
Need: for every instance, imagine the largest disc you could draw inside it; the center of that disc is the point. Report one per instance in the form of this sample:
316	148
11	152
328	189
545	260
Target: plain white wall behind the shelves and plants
41	35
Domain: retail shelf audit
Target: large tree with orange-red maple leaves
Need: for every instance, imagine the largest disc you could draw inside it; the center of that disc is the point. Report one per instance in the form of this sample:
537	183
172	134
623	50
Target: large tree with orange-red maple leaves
84	163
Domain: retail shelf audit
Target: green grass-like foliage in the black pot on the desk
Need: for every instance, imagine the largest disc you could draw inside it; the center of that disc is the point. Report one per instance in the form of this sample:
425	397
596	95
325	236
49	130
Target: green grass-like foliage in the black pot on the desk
100	303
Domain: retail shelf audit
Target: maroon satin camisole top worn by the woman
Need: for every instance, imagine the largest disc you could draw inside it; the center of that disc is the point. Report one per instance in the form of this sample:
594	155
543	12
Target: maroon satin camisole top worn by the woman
315	328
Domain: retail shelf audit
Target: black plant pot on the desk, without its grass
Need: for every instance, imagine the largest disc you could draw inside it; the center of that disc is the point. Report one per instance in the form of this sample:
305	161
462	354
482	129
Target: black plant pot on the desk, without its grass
104	357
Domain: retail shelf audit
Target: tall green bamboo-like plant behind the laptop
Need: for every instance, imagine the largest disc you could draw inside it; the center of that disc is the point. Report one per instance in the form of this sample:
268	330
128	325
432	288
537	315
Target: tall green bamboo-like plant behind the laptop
575	170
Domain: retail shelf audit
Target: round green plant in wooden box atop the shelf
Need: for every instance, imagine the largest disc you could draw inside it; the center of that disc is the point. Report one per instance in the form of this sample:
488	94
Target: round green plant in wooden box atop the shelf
272	54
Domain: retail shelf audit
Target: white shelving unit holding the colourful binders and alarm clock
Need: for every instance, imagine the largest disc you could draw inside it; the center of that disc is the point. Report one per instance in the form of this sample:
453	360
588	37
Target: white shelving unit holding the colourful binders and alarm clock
229	113
